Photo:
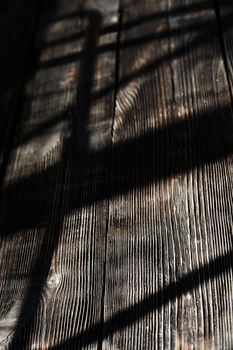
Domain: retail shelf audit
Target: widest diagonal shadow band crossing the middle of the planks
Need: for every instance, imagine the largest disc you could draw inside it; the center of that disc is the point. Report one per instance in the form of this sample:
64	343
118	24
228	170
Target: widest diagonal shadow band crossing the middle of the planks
143	160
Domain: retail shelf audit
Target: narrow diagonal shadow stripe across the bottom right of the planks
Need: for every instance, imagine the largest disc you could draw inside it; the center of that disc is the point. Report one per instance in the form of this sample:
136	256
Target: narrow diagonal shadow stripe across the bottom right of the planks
155	301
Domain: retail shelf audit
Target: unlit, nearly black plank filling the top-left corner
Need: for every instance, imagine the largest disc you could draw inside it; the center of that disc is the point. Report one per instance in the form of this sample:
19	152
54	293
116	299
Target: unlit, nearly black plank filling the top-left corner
18	20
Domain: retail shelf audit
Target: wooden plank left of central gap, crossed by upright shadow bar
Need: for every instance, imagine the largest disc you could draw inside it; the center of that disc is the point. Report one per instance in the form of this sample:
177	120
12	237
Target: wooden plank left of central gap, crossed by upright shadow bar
53	227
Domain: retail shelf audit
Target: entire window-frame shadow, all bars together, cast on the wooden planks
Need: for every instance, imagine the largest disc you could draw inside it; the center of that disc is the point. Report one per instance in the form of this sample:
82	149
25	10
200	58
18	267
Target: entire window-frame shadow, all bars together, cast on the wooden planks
137	162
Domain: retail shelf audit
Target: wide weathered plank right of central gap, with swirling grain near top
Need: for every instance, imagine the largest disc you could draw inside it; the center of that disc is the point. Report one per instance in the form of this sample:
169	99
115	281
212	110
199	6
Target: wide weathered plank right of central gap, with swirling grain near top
169	251
